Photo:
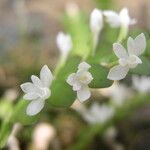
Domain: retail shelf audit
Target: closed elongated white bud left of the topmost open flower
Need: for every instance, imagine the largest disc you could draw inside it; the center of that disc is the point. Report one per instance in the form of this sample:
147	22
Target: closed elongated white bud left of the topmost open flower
96	23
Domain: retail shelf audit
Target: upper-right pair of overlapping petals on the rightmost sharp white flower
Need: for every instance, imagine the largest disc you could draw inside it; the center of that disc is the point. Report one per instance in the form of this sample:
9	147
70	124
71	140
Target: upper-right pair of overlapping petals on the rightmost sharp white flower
137	46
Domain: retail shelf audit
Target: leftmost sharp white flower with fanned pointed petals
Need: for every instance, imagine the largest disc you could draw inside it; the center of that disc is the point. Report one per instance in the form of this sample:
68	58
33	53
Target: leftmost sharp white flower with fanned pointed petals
38	91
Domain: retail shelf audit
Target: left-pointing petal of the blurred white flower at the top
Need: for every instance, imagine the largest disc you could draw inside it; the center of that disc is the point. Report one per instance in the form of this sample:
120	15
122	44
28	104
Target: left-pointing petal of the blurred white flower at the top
112	18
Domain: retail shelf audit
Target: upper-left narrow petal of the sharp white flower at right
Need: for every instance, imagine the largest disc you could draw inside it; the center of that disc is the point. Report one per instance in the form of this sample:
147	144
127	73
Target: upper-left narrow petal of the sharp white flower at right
120	50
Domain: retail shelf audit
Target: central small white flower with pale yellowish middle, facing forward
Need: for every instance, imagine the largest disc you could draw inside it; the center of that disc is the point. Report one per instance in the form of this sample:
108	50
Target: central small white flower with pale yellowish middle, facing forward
80	81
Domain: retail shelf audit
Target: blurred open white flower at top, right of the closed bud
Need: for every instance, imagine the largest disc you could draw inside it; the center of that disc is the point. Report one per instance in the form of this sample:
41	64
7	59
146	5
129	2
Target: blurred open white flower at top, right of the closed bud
116	20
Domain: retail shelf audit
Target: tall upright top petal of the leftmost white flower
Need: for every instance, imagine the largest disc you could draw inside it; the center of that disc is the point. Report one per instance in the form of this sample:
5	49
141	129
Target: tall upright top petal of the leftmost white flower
46	76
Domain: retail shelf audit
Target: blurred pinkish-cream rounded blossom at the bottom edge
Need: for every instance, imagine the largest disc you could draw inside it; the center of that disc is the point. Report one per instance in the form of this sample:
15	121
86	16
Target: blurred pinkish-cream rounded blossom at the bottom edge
43	135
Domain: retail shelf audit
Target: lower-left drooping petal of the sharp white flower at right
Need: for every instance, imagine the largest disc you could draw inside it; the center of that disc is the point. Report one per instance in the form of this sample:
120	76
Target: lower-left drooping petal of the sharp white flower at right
117	72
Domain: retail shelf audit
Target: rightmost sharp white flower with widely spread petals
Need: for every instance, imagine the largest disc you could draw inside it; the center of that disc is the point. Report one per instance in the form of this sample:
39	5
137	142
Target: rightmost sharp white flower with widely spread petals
128	59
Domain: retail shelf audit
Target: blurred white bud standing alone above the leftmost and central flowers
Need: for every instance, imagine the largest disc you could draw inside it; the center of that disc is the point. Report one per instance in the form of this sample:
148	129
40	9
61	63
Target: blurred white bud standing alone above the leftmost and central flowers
64	43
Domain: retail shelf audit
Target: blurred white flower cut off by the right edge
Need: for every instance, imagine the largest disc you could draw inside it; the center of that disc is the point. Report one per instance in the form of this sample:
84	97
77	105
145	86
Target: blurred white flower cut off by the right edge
141	84
